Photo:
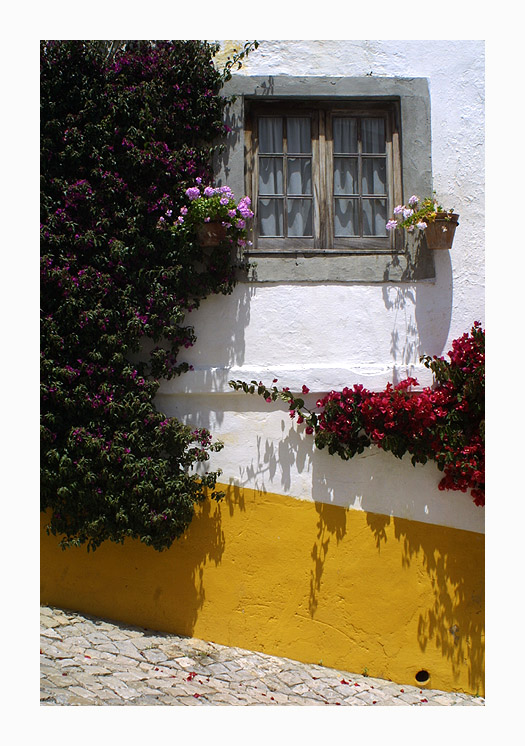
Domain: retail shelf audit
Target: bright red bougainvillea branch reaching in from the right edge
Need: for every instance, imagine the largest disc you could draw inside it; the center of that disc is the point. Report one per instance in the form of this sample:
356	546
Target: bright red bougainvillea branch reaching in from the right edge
444	422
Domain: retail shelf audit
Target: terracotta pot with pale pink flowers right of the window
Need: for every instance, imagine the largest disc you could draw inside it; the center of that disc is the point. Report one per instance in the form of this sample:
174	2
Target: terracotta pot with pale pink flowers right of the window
429	216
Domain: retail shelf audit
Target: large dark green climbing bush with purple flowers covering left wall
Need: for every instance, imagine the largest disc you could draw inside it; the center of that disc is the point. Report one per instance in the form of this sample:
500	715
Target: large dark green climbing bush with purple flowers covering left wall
123	135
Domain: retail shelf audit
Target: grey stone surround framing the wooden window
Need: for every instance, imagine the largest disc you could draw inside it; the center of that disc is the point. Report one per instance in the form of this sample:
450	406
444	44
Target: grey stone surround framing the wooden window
416	262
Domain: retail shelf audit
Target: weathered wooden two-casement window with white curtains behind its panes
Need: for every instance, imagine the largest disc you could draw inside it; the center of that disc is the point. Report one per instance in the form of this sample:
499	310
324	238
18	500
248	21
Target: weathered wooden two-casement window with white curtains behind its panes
323	177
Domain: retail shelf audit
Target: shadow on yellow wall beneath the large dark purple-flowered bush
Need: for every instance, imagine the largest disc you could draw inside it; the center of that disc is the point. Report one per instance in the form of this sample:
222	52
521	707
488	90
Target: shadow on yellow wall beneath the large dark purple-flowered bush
131	582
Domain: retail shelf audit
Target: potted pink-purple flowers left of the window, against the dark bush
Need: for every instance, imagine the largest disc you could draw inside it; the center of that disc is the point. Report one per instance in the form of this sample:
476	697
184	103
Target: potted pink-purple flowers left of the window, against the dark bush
214	216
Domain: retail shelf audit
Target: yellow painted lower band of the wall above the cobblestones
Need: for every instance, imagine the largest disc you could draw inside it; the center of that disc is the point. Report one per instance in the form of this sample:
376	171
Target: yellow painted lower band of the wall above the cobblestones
293	578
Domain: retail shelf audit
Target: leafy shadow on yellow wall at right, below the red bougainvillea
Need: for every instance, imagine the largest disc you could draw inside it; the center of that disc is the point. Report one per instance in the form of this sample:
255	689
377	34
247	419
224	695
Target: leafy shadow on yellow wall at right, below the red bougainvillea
453	623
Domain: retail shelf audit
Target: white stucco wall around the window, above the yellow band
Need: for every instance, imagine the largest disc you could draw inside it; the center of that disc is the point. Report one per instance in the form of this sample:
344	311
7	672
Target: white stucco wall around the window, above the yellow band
329	336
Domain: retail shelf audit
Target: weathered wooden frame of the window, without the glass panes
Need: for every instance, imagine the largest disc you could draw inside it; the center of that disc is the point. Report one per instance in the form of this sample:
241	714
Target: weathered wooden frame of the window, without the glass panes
322	113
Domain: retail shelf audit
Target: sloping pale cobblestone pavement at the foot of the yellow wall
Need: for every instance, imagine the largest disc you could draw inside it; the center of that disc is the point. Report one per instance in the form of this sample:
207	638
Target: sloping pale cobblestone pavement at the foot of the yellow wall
88	661
